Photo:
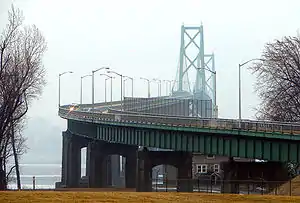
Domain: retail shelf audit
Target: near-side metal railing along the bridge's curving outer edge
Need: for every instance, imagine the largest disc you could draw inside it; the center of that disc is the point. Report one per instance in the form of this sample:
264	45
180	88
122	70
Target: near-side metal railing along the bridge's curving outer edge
229	124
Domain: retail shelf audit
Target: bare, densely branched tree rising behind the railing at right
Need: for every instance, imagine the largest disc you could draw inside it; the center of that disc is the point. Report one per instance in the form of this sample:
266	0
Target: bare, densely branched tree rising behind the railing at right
278	80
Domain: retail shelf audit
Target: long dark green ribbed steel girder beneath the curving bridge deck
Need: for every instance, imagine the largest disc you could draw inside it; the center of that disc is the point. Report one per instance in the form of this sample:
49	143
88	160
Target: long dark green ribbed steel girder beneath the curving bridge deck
221	144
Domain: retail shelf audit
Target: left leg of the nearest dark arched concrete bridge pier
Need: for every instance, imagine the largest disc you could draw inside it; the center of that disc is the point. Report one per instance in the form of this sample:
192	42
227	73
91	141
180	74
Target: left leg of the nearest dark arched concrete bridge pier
144	171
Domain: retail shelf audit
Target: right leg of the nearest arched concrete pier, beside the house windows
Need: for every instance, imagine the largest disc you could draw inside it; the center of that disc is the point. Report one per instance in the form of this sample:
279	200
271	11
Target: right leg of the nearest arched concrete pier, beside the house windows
185	183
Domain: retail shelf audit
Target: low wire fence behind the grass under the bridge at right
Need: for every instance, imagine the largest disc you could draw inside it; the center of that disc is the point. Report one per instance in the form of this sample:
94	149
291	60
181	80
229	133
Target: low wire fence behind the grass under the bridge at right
259	187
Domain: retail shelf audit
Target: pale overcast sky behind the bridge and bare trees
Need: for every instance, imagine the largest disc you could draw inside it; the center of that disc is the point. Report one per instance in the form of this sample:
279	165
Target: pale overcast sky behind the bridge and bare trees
142	38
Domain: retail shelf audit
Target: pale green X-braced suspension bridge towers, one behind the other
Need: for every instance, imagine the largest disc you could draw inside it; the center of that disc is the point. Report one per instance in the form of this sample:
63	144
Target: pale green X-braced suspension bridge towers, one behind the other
194	61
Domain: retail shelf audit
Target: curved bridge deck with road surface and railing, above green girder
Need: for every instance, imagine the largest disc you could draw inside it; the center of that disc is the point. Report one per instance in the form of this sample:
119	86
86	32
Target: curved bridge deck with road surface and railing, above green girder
229	126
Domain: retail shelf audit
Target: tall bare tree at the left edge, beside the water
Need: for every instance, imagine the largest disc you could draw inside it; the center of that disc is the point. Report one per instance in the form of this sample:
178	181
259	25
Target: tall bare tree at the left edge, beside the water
21	79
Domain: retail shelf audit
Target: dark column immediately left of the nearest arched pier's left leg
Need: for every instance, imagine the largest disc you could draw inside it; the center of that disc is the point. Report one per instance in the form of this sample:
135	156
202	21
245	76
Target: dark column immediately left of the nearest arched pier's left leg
130	170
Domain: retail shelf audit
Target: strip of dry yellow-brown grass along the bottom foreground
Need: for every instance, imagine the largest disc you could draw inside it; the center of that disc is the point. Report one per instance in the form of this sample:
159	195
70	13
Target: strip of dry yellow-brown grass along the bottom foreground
53	196
